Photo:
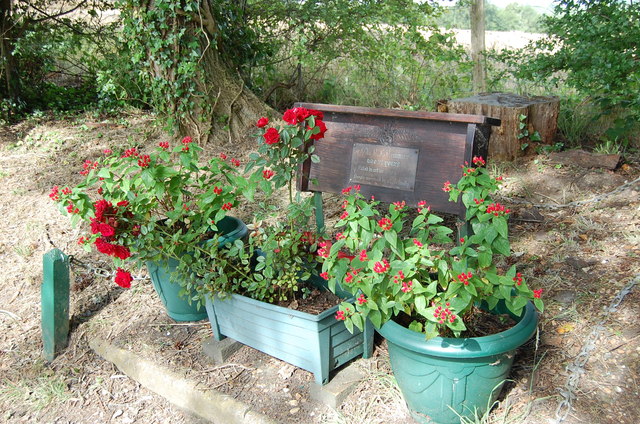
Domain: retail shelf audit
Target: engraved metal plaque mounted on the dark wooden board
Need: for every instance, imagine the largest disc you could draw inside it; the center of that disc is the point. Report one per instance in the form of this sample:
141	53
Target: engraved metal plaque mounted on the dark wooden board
384	166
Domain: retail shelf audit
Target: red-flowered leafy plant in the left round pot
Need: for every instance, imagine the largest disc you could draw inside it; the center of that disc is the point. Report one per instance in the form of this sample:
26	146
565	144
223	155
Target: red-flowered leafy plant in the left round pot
142	207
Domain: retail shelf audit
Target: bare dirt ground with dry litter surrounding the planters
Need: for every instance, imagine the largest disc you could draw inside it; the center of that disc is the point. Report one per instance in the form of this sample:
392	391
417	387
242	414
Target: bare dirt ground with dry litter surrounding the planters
582	255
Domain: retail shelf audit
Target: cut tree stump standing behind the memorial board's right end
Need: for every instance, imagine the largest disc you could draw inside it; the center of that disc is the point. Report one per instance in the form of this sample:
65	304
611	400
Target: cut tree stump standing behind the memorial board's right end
508	140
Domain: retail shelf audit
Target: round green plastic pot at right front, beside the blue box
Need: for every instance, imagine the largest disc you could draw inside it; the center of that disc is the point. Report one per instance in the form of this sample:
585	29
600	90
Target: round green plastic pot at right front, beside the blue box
442	373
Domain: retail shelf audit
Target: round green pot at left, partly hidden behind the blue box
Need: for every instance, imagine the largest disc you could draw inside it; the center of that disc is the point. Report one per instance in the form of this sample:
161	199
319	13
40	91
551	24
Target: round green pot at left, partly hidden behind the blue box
178	307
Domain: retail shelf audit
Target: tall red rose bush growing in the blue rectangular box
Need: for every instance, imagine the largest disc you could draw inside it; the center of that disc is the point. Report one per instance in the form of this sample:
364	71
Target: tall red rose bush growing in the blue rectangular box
280	254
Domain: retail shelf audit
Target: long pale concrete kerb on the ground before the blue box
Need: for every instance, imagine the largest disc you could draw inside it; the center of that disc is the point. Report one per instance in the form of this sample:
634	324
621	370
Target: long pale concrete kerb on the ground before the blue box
208	404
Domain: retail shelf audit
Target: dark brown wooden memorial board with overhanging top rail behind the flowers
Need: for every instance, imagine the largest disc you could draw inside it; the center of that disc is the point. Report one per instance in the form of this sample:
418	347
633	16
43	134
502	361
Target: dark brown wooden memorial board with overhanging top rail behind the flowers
395	155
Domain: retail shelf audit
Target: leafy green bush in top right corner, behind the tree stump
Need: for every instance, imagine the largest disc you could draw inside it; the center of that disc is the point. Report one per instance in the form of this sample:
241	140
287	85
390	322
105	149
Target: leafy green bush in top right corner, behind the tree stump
591	48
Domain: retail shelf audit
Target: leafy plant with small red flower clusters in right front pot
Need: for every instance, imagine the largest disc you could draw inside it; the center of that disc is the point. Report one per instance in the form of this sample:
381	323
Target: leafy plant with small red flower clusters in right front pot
397	266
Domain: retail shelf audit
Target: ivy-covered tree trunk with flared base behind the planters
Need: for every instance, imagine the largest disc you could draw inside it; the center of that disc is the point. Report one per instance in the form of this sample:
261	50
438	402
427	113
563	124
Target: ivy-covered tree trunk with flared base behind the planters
215	105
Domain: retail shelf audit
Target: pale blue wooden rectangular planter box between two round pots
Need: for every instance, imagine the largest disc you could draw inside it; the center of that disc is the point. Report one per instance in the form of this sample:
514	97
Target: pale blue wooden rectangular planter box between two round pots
316	343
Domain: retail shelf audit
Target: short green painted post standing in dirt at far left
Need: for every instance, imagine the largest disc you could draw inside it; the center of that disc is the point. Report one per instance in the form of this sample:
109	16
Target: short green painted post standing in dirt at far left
55	302
